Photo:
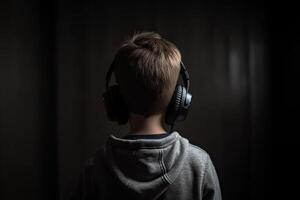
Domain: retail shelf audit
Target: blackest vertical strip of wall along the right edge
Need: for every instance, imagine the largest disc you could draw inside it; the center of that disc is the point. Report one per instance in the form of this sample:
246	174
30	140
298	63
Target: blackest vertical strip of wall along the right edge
284	42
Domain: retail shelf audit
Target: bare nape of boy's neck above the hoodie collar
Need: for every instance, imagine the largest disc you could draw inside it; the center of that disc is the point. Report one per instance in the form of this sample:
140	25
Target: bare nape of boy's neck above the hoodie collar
150	125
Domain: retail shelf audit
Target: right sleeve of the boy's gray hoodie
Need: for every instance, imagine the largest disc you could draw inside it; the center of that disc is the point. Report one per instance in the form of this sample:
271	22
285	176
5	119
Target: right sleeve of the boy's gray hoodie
211	186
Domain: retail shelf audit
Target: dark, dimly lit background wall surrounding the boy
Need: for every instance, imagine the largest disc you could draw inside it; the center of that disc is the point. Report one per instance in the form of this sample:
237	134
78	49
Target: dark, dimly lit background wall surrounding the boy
54	55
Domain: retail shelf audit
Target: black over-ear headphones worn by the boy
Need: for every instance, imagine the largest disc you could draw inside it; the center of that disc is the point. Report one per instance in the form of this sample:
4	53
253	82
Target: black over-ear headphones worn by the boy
177	109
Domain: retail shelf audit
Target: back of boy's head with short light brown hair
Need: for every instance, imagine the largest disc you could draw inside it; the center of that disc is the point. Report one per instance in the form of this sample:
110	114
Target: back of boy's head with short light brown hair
147	68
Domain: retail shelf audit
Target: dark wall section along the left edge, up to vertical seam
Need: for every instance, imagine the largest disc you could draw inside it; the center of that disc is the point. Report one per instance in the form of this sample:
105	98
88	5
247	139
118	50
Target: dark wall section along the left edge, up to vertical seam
28	153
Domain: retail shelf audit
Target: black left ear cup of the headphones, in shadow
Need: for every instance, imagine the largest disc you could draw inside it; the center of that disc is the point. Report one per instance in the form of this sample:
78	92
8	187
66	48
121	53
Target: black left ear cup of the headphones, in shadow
115	106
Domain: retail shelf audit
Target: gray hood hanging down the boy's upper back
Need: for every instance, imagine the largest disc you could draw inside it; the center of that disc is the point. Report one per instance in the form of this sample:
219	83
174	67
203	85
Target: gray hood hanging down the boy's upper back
146	167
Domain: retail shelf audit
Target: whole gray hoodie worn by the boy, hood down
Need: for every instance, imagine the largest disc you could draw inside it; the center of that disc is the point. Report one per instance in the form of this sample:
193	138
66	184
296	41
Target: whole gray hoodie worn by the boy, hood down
168	168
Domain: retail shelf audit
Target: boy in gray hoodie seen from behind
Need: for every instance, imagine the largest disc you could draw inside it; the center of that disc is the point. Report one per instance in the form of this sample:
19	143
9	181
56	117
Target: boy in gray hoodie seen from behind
149	163
